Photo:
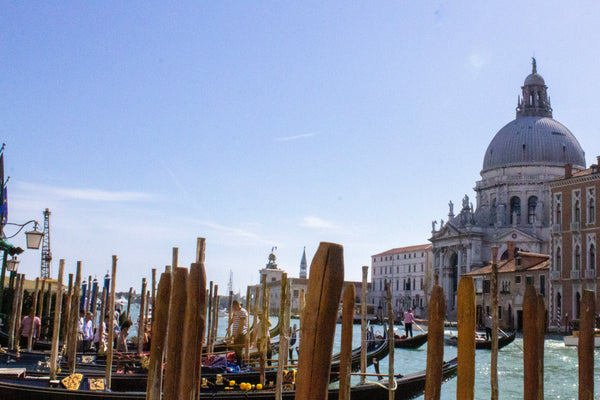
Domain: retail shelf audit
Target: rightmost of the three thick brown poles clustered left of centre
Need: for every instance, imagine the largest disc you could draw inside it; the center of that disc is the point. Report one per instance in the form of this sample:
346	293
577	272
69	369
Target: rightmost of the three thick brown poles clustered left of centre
194	326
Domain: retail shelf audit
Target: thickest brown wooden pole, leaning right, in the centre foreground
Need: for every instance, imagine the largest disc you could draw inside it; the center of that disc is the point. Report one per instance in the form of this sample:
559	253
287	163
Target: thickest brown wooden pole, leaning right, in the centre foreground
319	320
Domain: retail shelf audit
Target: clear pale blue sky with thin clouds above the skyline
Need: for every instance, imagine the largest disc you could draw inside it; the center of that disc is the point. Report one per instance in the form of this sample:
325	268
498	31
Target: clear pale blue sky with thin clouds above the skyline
145	125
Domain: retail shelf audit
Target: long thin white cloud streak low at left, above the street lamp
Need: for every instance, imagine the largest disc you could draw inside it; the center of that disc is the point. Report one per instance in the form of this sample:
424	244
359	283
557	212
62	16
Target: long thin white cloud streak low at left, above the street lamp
85	193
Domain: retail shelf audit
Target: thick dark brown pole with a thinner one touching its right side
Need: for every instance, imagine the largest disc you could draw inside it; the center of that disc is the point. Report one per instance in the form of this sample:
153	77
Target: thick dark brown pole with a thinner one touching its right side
530	345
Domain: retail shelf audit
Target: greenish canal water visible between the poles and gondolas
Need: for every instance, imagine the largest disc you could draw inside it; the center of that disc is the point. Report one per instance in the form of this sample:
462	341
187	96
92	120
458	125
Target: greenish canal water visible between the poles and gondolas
560	365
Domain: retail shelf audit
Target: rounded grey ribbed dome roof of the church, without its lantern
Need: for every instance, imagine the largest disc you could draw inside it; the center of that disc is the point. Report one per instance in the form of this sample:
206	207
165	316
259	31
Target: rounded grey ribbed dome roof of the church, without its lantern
533	140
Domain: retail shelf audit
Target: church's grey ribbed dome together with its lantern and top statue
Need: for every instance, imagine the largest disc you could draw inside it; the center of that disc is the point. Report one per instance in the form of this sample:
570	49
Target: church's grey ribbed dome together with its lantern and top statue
533	138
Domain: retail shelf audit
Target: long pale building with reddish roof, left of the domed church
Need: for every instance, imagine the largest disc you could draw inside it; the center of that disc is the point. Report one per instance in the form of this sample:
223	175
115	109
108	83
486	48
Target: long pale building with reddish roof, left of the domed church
408	269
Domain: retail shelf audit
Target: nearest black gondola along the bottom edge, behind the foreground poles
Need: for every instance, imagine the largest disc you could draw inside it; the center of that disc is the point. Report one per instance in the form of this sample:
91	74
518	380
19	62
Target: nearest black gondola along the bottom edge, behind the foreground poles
23	388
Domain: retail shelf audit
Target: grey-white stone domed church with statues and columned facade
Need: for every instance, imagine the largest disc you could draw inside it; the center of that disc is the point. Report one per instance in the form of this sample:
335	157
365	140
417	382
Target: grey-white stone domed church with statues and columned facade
512	199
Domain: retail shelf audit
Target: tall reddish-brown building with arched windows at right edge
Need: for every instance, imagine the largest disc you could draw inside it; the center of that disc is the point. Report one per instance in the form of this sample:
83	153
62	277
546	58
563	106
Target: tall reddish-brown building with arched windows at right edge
575	231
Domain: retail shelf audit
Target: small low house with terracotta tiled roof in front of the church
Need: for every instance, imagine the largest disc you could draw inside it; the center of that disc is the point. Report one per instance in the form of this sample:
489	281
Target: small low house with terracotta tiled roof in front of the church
513	274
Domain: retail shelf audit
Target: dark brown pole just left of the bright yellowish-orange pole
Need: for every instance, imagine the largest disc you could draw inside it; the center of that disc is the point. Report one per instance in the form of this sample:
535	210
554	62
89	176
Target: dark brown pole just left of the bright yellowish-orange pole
435	344
